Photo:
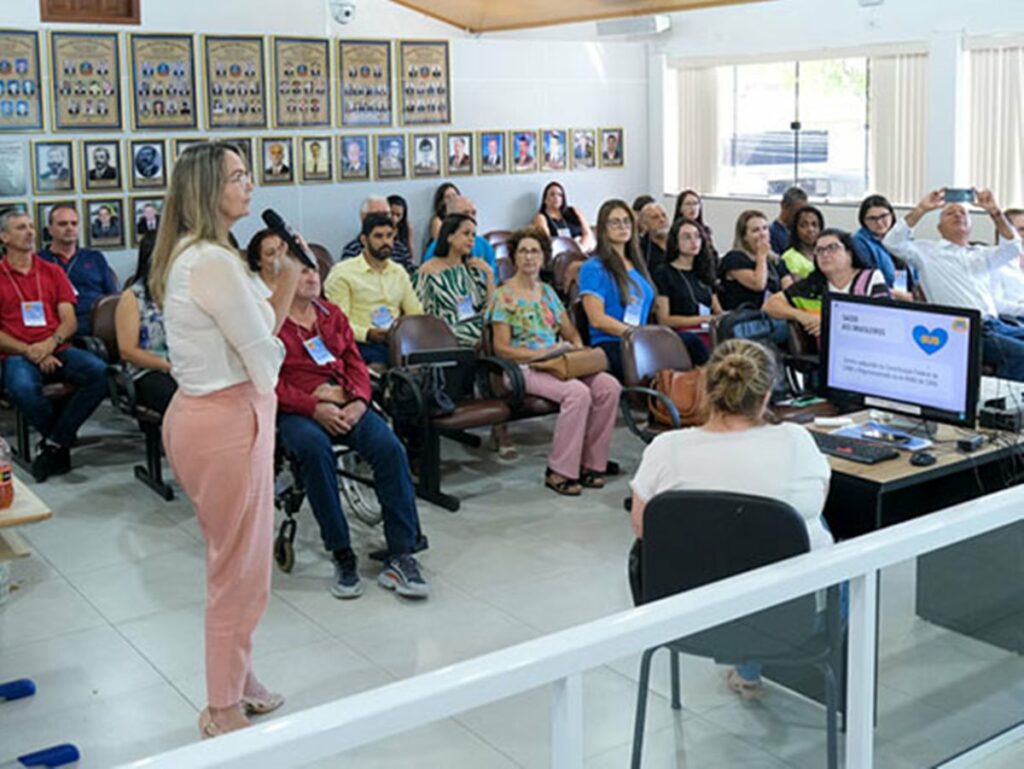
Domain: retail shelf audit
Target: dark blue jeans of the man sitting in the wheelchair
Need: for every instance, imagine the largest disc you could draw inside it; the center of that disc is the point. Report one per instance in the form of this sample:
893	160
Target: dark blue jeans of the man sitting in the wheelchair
373	440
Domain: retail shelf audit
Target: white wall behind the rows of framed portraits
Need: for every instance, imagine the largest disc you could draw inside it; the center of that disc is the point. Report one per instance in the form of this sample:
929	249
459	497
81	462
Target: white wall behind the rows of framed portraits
499	82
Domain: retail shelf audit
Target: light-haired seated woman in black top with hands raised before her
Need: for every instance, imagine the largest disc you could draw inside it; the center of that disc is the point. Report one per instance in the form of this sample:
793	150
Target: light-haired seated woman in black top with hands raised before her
751	270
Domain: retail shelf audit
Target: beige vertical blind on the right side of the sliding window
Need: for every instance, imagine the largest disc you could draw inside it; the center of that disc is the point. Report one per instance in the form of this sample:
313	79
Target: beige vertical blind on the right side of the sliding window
898	136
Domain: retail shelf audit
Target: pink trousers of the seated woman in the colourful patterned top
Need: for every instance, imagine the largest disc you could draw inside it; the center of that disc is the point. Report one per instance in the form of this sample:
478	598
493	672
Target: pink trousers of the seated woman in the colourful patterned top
586	419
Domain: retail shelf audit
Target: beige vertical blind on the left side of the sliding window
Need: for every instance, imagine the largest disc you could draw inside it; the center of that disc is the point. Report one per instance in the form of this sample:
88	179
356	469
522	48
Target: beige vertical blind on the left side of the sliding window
699	129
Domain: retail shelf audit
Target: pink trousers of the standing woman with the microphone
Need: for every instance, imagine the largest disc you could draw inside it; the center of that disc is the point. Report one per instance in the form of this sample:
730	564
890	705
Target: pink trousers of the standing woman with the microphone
222	450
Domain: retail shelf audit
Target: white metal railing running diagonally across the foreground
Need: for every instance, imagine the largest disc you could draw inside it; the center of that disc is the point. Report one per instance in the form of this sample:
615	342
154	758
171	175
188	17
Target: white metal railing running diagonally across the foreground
561	660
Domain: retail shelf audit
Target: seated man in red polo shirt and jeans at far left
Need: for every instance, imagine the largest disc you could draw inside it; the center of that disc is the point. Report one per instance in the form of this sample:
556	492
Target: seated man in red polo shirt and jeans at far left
37	318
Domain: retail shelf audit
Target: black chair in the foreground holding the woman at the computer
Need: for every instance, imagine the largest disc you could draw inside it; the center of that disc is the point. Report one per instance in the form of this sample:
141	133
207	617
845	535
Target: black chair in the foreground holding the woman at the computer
693	539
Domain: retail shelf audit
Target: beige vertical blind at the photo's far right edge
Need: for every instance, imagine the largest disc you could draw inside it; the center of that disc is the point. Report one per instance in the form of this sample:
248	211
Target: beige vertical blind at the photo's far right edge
998	123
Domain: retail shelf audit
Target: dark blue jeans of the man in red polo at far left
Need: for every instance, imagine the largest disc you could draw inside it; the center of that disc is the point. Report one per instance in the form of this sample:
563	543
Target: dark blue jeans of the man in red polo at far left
57	422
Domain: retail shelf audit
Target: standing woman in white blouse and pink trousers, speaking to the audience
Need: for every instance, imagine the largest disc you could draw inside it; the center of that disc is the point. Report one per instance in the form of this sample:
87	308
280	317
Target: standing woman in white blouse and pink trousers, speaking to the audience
220	429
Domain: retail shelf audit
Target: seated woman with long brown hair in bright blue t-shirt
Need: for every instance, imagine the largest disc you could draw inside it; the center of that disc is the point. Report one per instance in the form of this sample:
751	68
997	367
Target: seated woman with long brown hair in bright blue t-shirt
615	286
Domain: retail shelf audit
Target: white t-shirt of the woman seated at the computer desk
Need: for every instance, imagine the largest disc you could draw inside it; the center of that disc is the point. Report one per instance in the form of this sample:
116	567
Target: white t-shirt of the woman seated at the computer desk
782	462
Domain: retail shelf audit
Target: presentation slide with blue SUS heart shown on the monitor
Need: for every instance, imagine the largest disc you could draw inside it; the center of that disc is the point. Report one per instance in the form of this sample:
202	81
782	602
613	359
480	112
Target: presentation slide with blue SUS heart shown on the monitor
901	355
